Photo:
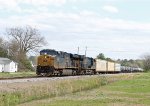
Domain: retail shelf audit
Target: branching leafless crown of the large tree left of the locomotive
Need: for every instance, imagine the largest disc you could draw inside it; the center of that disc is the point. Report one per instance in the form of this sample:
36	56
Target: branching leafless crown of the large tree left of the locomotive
27	39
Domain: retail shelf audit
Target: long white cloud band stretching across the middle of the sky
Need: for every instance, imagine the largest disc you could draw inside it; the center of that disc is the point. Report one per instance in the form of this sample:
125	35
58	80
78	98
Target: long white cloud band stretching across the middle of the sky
85	21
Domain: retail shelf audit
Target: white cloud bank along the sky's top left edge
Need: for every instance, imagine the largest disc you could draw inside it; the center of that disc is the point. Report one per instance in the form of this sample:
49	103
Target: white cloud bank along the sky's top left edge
35	5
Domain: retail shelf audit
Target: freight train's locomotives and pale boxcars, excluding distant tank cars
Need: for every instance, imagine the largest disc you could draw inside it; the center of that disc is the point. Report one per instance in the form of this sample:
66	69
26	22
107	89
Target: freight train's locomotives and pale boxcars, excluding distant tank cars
52	62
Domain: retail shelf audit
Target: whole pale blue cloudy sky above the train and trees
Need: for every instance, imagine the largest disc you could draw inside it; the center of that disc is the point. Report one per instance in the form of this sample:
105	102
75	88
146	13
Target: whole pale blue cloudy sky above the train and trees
117	28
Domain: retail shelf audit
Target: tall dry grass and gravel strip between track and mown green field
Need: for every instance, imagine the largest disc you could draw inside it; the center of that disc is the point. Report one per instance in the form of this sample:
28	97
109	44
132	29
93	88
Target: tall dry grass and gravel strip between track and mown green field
24	92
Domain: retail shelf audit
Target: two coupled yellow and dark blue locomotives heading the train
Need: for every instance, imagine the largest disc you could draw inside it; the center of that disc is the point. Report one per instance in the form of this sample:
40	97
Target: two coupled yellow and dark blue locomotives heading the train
51	62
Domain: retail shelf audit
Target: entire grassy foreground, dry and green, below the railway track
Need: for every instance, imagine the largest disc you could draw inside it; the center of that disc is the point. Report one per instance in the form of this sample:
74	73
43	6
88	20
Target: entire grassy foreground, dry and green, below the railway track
115	90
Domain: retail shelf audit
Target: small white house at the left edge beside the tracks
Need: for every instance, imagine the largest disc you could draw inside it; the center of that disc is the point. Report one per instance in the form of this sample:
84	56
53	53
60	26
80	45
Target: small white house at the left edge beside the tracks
7	65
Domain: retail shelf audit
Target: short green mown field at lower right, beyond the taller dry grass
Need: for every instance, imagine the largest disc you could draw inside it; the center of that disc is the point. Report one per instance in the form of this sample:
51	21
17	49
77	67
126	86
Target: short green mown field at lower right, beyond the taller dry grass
129	91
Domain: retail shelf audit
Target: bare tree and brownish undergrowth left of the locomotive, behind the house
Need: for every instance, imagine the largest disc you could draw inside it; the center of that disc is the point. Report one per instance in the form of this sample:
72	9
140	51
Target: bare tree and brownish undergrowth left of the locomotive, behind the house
20	42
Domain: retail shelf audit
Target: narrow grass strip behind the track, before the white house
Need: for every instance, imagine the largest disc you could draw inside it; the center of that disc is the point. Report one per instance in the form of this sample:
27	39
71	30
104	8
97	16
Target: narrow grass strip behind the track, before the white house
17	74
